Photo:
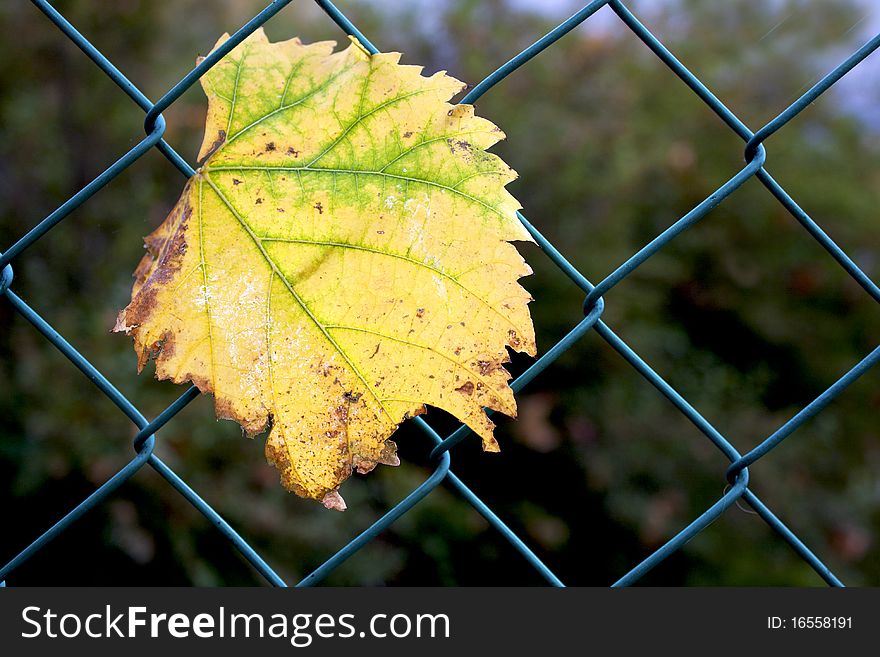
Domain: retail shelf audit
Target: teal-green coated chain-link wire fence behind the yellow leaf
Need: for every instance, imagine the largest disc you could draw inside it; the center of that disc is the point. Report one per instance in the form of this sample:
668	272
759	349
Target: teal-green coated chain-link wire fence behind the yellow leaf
737	474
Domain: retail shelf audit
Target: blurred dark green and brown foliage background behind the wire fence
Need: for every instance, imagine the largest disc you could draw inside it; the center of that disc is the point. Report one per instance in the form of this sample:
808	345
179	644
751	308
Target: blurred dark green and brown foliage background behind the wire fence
744	313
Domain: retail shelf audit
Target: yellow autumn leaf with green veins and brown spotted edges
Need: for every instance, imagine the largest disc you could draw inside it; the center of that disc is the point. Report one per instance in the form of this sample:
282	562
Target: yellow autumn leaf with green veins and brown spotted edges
341	258
